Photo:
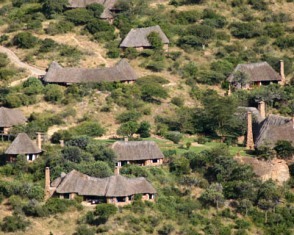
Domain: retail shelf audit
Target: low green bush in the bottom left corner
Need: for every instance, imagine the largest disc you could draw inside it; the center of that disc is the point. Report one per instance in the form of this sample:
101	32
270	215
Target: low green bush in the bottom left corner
14	223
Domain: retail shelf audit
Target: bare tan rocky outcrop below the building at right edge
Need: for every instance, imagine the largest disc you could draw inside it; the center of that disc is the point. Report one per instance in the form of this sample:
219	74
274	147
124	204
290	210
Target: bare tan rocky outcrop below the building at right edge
276	169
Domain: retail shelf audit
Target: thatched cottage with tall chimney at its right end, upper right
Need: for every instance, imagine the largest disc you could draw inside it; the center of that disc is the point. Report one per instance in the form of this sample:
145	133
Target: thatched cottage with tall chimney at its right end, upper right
255	74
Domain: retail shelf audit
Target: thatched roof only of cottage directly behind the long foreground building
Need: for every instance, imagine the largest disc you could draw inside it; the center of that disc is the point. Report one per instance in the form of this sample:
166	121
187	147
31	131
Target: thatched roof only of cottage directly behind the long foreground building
136	150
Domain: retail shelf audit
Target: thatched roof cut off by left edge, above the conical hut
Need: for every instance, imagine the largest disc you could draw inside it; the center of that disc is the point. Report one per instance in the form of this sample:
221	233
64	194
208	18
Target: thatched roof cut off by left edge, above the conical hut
11	117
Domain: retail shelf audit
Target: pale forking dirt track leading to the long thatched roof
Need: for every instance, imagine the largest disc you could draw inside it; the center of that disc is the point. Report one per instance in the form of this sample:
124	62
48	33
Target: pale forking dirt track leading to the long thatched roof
18	63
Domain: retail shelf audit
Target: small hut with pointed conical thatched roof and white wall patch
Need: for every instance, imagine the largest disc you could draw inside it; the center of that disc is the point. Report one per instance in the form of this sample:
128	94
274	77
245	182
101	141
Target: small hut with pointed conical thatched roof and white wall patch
23	145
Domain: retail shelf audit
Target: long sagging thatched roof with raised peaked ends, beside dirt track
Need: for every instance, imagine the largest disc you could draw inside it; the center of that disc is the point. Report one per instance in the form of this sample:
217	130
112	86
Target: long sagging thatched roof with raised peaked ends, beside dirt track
122	71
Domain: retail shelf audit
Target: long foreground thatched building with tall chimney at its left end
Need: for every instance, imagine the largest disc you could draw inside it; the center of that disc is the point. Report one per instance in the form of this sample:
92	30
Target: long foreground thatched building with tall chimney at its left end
116	189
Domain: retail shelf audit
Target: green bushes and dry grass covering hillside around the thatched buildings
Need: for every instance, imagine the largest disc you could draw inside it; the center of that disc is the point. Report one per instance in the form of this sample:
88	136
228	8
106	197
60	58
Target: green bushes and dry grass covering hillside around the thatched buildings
180	97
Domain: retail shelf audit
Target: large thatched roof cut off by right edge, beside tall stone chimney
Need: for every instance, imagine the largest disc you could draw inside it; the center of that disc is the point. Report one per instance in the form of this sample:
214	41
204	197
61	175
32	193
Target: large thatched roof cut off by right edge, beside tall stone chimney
274	128
